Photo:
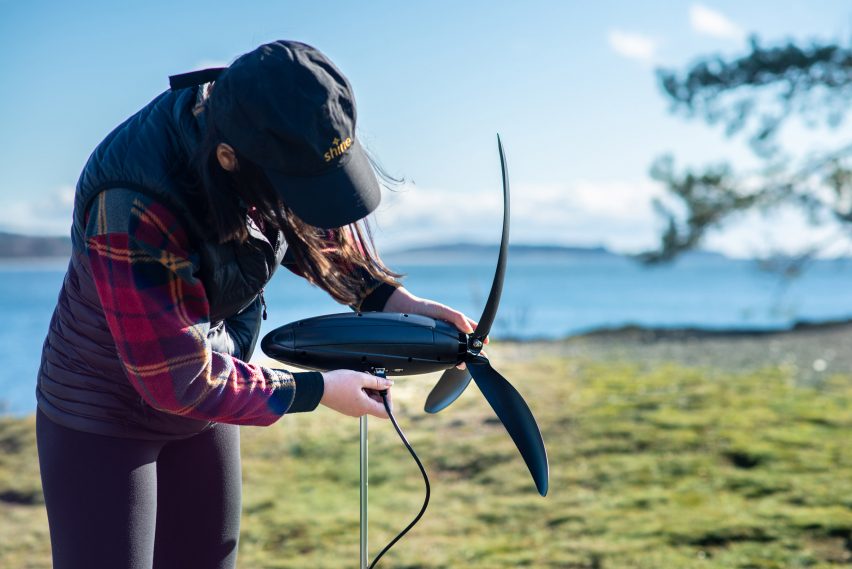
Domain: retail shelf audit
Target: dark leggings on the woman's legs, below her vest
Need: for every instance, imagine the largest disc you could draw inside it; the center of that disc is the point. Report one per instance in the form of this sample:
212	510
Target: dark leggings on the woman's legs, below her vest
127	503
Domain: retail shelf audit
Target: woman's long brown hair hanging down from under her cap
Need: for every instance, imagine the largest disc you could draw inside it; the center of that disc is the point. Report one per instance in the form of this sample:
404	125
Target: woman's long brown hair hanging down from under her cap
336	260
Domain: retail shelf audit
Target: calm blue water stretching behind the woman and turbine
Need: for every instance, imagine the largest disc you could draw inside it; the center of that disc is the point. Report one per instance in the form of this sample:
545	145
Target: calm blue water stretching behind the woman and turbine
543	298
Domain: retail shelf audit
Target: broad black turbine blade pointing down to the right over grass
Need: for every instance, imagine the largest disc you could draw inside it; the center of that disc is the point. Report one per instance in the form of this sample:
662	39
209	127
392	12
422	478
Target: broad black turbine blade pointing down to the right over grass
516	416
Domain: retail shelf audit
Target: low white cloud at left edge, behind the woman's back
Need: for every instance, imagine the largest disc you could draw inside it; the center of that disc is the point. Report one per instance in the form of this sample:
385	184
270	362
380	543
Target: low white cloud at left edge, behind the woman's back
48	215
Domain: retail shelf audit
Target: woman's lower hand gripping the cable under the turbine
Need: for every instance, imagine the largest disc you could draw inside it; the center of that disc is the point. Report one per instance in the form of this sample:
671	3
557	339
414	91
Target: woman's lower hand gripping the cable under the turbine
346	392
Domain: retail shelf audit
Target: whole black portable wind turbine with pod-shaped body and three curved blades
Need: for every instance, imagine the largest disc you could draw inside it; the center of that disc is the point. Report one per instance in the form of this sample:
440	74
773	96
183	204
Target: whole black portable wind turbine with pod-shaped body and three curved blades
410	344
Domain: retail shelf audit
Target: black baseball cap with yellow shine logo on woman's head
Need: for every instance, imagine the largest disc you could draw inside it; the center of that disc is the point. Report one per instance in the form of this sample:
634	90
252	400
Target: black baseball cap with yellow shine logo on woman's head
286	107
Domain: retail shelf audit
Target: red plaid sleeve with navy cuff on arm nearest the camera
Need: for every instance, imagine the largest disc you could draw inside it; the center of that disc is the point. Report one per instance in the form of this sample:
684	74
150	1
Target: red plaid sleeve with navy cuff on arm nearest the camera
158	314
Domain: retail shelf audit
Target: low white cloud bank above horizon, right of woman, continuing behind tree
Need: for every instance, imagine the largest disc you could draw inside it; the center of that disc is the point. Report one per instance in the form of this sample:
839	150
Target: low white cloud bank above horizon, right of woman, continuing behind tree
617	214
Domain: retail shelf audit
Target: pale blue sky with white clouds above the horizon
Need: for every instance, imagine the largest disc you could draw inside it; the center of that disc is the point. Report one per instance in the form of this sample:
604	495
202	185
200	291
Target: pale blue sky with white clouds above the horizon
570	87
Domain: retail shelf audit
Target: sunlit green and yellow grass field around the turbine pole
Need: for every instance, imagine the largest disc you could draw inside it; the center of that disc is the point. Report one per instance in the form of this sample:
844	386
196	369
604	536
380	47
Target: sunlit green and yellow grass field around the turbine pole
656	462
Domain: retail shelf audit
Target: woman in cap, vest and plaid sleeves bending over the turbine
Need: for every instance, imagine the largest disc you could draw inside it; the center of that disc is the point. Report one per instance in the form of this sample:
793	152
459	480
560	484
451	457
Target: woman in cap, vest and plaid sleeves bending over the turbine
181	216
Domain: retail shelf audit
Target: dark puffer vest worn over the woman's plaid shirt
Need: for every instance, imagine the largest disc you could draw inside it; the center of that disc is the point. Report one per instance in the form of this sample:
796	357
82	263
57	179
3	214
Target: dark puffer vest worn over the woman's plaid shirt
81	382
